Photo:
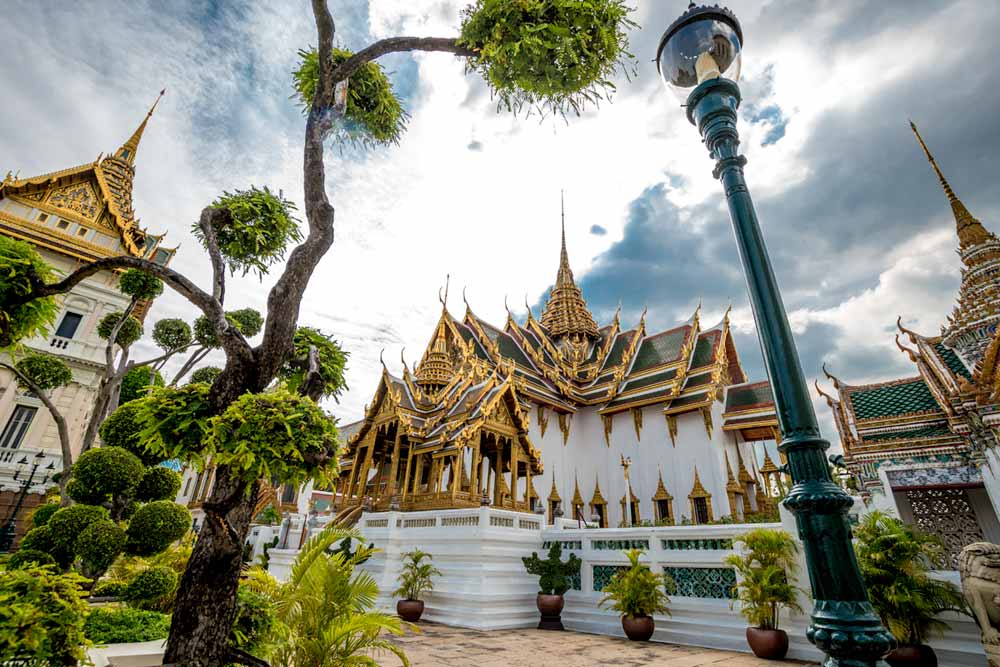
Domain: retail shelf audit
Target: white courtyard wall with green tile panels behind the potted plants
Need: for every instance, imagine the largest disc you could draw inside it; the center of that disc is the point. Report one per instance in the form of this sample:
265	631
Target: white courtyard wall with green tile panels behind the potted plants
484	586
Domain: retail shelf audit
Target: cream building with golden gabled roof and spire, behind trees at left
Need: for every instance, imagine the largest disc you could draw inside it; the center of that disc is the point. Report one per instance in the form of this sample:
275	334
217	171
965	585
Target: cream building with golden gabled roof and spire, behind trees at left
71	216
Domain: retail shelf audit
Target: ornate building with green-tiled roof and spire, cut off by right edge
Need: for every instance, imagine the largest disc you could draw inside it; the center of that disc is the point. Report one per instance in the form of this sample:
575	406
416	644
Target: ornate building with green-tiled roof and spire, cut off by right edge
925	446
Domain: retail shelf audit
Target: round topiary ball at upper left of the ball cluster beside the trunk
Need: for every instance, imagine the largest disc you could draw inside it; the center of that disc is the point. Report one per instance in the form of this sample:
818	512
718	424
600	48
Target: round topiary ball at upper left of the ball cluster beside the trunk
104	473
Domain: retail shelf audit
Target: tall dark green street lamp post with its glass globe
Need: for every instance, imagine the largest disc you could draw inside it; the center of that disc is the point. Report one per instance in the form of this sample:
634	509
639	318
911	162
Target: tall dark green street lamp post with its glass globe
699	58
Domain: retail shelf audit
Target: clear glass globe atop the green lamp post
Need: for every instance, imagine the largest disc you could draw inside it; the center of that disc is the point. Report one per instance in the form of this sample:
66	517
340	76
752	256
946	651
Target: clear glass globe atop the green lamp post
703	43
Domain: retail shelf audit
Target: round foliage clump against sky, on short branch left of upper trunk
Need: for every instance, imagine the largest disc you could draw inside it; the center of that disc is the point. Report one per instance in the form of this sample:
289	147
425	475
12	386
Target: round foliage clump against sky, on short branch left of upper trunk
259	231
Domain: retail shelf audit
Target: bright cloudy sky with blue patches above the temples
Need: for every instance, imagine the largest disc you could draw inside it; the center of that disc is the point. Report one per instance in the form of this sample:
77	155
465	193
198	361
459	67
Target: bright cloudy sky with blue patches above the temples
857	227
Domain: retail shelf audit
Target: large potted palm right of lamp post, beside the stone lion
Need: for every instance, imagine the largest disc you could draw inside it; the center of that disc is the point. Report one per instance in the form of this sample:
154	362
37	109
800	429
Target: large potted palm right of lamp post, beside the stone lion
896	560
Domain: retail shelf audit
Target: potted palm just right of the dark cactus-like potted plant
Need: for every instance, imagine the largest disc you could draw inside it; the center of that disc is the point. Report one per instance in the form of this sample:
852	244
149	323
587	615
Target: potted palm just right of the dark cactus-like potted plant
637	593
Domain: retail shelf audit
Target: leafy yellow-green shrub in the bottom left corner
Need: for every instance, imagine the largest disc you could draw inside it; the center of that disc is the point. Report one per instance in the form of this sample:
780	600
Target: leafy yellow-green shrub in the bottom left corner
41	617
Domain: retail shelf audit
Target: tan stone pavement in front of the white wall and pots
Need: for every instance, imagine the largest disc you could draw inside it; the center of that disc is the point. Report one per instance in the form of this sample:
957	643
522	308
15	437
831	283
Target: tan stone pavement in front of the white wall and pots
440	646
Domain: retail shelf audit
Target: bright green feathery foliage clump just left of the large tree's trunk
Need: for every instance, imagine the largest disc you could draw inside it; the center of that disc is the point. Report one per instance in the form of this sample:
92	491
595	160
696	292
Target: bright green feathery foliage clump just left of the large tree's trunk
174	421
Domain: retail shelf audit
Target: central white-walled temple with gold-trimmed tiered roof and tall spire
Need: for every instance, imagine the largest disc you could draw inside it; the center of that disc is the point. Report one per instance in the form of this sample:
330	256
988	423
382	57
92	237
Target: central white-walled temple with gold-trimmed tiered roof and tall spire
540	415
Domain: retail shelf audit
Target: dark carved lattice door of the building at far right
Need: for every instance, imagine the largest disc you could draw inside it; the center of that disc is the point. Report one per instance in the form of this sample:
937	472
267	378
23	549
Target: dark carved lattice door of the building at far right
947	513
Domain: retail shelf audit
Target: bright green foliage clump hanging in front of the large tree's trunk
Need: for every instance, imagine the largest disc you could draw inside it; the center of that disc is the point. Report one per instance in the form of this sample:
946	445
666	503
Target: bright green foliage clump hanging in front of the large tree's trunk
276	435
